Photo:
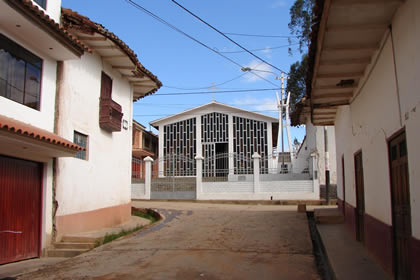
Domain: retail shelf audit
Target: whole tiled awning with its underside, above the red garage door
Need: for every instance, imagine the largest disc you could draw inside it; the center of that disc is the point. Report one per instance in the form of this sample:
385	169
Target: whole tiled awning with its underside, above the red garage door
25	141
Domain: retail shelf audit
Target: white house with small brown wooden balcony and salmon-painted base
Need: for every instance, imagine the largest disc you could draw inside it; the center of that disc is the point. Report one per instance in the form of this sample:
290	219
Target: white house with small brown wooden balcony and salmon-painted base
95	100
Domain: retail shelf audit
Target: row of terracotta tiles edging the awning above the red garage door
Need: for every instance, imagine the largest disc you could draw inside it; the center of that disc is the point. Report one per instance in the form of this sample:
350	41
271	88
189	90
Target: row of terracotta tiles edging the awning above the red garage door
20	128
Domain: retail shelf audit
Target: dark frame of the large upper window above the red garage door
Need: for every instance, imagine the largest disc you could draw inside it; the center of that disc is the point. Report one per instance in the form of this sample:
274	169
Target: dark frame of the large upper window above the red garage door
20	53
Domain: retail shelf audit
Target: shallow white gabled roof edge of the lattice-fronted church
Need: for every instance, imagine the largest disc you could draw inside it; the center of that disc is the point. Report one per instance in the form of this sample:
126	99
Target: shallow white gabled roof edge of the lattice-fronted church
217	107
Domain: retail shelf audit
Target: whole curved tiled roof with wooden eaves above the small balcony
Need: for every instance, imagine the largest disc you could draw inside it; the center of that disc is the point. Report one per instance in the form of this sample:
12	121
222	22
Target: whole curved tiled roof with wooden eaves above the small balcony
113	50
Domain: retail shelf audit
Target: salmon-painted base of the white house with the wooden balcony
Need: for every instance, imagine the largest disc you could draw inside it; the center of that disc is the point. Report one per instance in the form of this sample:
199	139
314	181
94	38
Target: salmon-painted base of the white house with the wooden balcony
93	220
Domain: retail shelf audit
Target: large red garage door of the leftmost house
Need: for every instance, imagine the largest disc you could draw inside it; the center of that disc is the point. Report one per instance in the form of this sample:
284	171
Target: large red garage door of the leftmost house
20	209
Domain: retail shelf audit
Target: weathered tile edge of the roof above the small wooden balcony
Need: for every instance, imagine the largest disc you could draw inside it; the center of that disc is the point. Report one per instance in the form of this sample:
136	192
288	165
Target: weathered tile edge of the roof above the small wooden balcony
70	18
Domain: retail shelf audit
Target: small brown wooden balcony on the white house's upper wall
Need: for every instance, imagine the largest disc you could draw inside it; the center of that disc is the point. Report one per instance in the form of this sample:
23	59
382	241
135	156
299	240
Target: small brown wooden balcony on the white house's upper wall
110	115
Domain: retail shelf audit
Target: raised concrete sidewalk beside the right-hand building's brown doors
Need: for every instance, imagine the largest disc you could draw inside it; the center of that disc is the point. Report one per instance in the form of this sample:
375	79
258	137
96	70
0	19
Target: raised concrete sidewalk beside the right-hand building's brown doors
348	258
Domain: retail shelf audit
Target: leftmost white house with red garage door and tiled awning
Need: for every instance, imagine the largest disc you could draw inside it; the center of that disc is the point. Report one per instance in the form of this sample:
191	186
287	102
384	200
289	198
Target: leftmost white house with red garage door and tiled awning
31	44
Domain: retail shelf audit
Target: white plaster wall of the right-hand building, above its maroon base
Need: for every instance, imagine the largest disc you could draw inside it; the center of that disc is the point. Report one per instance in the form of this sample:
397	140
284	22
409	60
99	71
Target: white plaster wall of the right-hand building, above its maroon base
374	116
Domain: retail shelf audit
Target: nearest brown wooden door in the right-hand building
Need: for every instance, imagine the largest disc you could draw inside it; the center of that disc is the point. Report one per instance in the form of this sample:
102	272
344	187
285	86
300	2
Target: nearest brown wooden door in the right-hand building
401	213
